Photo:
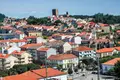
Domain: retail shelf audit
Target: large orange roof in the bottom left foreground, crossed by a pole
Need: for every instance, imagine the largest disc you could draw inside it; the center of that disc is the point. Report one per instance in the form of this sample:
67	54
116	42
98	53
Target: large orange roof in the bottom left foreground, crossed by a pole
35	74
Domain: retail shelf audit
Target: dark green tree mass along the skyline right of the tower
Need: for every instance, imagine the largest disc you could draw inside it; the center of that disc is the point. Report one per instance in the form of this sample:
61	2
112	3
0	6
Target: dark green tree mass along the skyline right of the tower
100	17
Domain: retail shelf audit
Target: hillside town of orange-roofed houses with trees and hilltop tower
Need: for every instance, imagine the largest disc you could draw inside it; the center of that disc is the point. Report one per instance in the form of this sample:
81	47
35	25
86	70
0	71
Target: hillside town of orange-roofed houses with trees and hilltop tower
60	47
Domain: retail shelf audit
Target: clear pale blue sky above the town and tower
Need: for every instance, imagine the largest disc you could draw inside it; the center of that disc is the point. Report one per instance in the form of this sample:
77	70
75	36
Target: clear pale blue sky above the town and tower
43	8
